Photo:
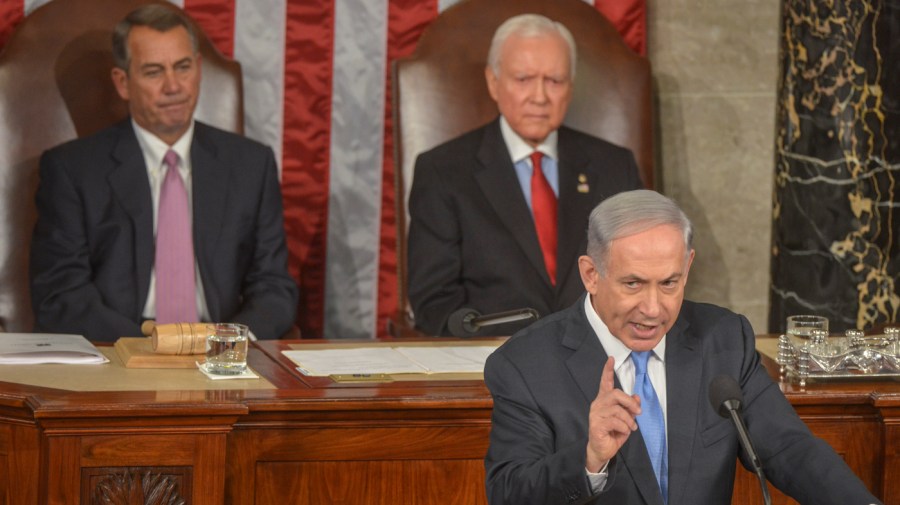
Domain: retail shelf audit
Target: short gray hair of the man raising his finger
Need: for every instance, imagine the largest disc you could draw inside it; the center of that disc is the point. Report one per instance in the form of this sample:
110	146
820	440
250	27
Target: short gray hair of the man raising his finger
629	213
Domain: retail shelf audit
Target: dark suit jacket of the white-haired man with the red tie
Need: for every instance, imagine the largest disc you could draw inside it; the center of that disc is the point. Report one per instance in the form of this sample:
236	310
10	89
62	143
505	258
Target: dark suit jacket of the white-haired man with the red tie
472	241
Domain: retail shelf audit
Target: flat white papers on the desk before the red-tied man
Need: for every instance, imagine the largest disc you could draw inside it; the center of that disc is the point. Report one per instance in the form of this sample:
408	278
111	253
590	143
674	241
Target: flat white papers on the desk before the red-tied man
391	360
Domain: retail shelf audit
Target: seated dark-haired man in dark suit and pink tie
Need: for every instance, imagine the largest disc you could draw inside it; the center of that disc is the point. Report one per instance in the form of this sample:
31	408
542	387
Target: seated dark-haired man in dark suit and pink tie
159	217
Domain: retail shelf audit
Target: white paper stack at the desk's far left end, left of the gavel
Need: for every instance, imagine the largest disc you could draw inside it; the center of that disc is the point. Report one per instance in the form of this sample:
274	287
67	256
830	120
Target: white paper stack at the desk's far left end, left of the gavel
37	348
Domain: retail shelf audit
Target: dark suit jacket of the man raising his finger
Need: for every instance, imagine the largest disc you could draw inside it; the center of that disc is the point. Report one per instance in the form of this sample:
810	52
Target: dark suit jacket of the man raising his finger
544	379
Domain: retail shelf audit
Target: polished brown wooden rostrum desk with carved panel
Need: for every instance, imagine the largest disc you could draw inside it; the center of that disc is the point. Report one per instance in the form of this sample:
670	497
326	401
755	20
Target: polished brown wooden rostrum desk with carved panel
291	439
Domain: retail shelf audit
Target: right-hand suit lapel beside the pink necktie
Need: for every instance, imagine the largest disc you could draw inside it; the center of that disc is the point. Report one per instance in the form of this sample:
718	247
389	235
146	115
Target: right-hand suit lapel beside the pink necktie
210	181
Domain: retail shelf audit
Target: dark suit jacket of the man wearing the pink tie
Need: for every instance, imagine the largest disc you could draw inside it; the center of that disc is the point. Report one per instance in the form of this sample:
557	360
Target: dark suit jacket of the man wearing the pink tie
93	244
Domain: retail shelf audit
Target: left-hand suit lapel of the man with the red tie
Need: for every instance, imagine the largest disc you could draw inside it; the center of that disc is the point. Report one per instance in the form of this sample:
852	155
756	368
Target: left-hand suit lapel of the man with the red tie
497	179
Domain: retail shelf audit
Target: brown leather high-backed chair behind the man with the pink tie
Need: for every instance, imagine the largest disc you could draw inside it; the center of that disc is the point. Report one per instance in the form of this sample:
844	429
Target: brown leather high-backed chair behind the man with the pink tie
55	86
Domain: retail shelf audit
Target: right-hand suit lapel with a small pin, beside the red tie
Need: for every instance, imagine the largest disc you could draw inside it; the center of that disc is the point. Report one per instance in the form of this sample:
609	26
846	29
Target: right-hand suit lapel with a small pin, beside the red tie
573	202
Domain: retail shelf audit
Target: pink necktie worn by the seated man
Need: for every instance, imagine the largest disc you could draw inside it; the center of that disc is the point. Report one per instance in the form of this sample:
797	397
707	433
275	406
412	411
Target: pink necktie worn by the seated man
175	290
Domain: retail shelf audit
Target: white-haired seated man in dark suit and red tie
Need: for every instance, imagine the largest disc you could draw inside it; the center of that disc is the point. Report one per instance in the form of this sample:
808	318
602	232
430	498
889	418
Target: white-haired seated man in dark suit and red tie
497	216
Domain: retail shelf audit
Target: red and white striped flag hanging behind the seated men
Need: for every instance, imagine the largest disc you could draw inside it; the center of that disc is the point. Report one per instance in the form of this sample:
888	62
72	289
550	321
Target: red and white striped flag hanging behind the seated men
316	88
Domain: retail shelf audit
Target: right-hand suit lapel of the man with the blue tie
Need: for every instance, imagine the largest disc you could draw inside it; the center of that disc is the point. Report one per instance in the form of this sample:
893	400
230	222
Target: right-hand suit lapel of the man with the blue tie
684	368
